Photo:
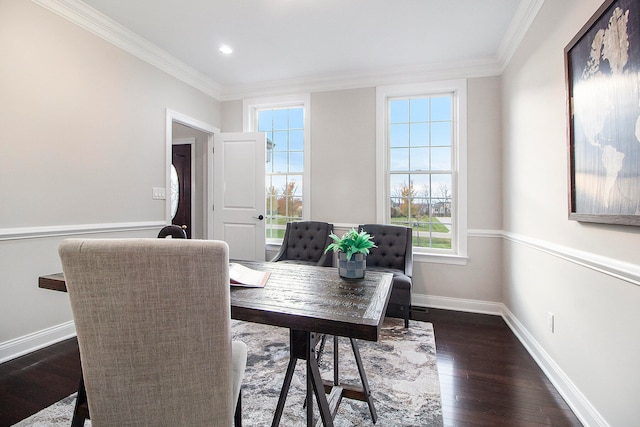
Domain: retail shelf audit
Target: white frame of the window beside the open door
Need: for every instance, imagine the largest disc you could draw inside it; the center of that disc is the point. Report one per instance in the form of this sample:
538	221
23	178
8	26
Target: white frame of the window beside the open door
250	106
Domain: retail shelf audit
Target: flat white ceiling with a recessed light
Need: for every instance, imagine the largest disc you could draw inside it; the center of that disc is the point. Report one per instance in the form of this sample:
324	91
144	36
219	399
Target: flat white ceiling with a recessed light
278	42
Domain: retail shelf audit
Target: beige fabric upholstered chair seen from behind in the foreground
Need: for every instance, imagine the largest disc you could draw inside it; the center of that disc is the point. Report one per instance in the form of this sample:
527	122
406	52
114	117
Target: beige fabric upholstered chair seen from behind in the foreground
153	320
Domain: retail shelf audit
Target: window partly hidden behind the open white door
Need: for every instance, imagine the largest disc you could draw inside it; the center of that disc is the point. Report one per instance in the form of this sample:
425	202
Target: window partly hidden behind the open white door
286	172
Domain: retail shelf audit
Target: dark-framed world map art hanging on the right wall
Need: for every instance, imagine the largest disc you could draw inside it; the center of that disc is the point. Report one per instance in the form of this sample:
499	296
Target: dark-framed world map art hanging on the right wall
602	65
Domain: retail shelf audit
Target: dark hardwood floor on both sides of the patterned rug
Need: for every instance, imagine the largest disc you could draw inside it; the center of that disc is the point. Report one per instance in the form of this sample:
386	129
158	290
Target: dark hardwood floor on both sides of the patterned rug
487	378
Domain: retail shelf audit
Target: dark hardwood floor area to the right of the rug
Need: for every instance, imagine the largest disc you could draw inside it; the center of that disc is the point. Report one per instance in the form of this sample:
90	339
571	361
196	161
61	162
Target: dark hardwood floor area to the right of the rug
487	378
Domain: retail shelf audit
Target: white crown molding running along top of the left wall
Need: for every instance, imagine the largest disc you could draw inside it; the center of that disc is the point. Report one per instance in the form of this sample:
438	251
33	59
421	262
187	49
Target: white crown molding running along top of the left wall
93	21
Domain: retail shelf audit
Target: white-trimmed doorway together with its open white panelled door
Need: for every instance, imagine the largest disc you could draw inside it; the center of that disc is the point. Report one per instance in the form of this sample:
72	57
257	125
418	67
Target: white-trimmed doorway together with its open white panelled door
228	175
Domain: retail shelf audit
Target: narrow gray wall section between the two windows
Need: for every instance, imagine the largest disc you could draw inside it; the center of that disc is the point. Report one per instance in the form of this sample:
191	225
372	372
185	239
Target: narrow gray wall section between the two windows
343	156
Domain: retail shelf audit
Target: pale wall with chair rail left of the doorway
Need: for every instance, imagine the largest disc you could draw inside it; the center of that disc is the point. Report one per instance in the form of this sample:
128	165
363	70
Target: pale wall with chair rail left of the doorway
82	143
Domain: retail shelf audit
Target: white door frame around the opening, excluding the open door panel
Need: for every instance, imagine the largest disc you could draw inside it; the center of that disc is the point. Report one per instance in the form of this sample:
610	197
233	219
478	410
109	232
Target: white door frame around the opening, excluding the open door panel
206	187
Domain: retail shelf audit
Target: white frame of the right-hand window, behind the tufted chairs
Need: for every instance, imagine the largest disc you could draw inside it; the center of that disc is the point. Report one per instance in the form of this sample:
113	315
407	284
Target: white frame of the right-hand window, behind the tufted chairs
458	253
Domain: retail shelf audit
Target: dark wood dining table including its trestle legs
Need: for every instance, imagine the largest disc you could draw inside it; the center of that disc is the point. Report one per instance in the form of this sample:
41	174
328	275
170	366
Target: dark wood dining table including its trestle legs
312	303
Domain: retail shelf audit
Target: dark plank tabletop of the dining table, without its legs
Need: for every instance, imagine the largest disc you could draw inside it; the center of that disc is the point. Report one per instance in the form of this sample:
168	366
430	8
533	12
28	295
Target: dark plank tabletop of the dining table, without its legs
305	298
